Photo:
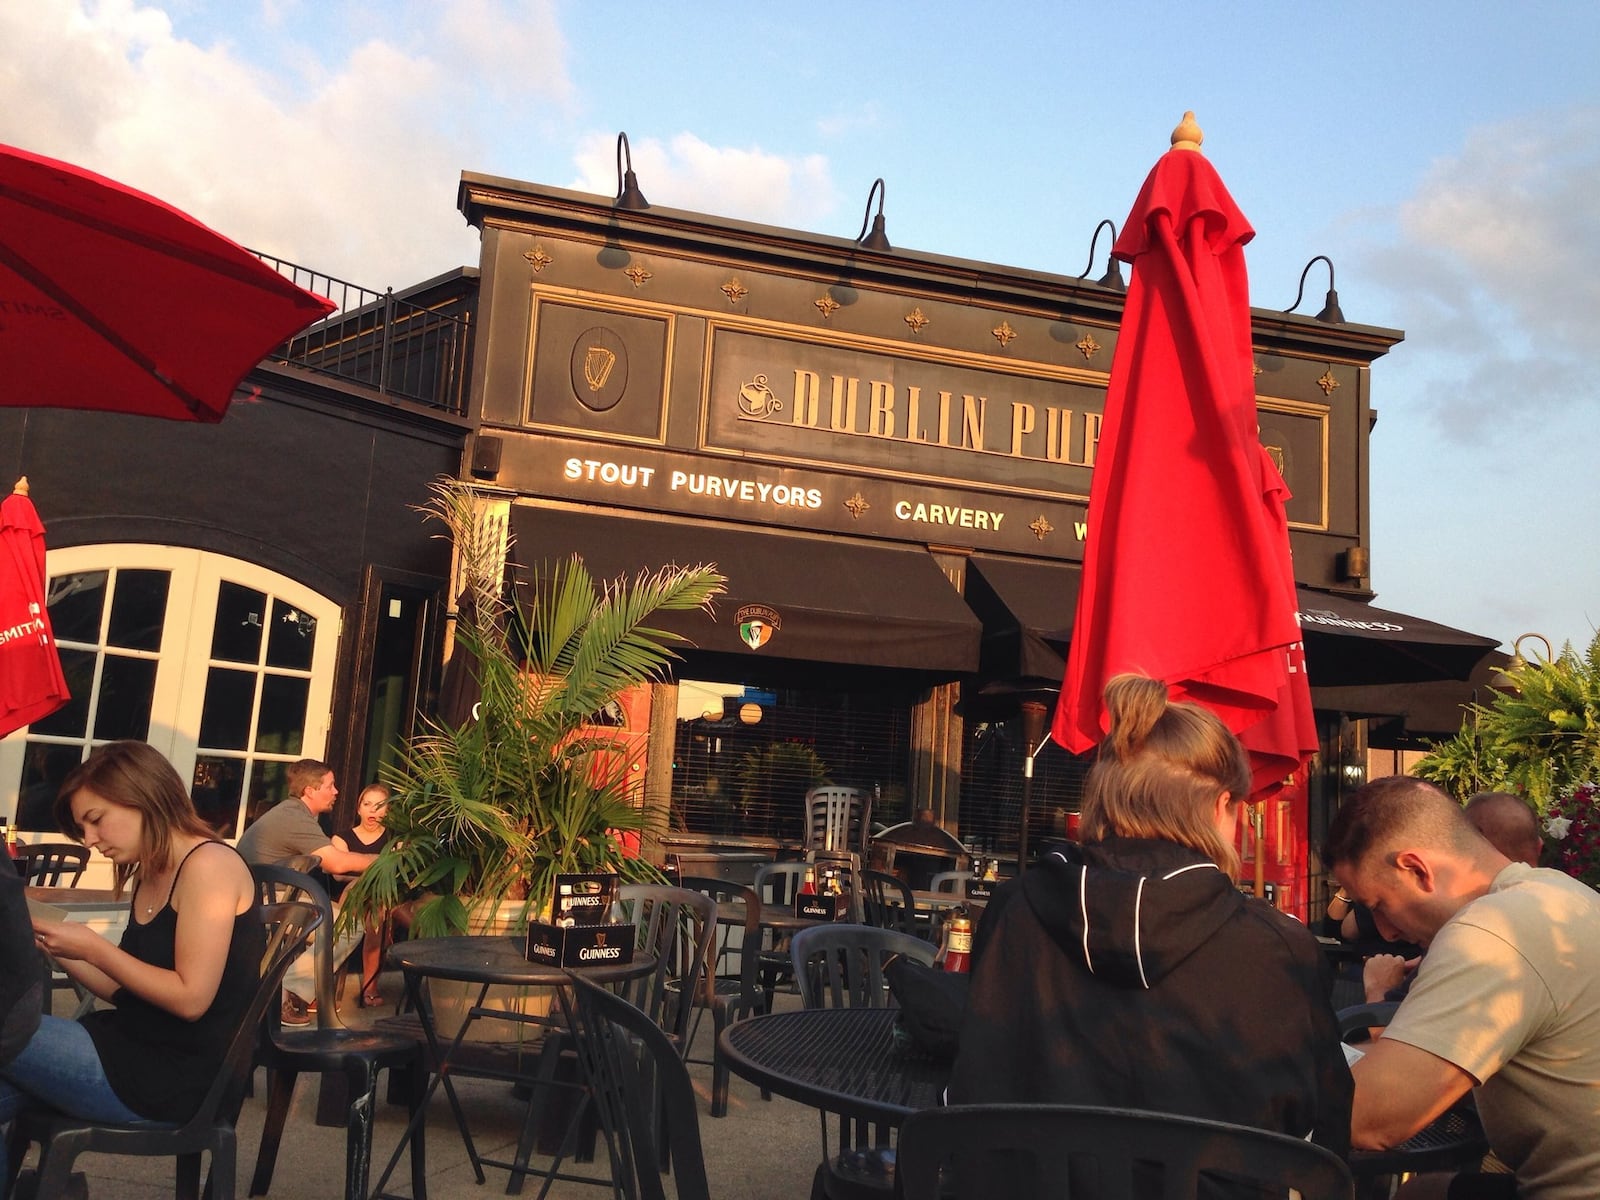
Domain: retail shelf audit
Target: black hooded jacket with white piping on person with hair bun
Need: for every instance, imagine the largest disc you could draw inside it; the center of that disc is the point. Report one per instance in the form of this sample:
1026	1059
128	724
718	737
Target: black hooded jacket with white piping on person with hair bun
1134	974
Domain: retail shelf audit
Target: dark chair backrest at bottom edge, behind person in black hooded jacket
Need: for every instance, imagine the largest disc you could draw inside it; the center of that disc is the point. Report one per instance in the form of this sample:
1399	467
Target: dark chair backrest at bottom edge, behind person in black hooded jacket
1025	1151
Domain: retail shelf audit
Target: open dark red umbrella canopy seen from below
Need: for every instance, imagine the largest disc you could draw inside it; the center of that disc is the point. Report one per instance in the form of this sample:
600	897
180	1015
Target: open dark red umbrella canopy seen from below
113	300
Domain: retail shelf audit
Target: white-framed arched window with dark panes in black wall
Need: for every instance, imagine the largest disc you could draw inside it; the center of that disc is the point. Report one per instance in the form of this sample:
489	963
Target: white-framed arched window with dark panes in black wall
223	666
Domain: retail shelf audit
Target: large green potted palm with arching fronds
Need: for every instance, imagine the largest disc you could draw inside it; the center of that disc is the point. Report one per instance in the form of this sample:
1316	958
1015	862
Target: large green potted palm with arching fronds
494	809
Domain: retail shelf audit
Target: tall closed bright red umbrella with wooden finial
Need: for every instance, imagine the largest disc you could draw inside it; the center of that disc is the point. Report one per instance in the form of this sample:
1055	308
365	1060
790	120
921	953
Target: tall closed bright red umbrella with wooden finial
1186	566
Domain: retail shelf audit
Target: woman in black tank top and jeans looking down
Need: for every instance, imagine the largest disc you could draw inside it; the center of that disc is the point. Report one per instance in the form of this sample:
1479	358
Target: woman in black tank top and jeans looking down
183	975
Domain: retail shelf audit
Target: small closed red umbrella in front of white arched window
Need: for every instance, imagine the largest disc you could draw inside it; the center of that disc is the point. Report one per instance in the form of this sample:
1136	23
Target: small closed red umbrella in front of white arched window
31	684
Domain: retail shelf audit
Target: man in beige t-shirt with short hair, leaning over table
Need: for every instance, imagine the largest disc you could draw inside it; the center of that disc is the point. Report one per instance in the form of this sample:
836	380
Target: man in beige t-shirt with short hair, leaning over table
1506	1001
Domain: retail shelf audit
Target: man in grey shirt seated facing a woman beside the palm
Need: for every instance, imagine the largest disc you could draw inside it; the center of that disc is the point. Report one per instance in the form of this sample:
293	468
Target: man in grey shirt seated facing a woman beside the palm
289	831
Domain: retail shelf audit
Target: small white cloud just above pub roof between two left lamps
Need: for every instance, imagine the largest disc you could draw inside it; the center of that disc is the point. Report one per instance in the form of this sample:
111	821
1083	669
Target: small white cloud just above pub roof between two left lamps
748	185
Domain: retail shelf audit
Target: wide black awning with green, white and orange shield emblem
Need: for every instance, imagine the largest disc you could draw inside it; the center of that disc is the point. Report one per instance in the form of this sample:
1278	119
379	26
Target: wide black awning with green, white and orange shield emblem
802	599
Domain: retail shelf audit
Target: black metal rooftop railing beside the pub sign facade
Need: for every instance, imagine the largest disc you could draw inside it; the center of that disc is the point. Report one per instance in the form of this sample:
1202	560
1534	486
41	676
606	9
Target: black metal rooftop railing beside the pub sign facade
401	348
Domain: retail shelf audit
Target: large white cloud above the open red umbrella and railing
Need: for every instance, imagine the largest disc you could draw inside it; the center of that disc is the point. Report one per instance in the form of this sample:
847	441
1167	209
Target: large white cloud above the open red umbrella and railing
345	166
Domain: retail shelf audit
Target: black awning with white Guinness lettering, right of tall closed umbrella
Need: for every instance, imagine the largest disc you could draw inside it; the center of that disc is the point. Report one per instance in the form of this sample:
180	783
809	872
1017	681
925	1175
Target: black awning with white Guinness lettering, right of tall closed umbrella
1350	642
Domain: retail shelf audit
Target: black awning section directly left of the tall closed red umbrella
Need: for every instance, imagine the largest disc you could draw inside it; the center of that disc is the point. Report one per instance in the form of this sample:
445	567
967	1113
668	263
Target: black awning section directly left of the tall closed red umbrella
1026	609
